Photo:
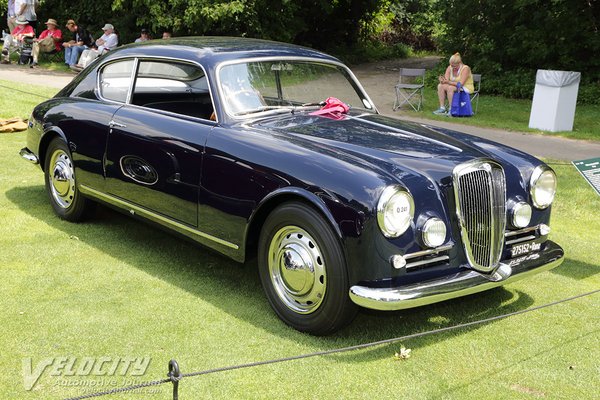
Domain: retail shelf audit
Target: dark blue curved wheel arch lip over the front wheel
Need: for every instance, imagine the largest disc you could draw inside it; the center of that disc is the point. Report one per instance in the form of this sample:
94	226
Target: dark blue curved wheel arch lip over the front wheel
272	201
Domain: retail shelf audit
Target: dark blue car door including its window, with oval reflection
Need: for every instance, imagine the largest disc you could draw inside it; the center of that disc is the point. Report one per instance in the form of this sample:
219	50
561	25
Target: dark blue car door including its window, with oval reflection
155	142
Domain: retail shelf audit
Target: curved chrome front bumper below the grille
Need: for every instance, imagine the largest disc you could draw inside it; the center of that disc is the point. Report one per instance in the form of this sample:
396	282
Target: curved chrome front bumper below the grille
459	284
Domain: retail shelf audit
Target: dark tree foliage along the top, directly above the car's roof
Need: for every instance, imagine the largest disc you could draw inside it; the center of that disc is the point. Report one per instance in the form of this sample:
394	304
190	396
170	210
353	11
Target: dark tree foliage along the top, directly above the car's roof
316	23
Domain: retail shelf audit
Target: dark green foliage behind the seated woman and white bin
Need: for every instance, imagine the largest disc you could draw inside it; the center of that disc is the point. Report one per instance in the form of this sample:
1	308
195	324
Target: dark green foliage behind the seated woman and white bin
509	41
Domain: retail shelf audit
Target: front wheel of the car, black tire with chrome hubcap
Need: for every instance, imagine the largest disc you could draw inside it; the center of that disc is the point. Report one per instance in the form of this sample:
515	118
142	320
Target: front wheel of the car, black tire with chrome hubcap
303	270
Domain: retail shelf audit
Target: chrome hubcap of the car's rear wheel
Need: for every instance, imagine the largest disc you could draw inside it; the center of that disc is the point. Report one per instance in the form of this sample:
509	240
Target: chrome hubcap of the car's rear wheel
62	179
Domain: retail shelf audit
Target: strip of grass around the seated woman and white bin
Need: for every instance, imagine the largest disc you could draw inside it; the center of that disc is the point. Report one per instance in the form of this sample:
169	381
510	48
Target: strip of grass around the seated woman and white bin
513	115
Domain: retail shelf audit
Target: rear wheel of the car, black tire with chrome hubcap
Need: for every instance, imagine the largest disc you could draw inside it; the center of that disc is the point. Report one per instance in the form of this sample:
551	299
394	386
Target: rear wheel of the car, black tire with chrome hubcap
61	186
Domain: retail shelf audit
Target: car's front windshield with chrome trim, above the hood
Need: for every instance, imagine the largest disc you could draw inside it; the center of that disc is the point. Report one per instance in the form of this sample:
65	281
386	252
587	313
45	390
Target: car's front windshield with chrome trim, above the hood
280	86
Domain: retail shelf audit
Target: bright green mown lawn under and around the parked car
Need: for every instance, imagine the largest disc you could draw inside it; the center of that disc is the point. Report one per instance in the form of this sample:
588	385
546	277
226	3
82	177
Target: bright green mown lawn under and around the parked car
115	287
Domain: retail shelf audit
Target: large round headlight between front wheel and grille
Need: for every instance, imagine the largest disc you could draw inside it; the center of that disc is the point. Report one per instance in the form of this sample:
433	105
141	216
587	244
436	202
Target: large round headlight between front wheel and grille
395	211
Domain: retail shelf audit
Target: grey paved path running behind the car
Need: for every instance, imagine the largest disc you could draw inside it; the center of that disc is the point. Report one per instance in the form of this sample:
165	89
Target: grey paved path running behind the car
379	79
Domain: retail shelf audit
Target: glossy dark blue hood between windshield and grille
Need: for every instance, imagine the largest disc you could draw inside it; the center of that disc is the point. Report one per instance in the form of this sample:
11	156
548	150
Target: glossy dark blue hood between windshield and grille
388	144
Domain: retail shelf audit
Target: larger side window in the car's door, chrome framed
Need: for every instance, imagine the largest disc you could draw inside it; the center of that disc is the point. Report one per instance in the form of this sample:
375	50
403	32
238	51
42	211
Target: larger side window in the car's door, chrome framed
174	87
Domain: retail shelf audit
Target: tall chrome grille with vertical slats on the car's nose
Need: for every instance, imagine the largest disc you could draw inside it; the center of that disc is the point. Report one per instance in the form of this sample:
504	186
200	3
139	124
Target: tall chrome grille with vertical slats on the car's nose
480	194
